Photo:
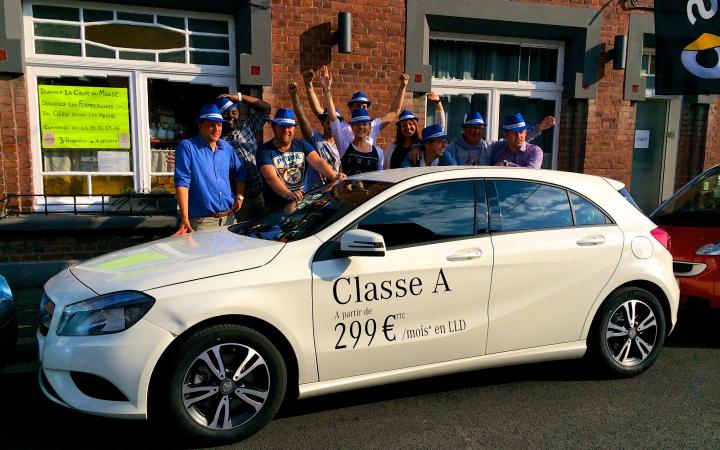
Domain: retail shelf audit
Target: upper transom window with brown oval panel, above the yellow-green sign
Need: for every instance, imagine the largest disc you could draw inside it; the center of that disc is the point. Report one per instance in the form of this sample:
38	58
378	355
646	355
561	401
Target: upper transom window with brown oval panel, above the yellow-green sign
126	35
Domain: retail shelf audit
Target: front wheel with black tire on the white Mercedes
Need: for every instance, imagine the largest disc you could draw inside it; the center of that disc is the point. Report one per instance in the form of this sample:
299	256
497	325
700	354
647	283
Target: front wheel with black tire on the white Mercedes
225	382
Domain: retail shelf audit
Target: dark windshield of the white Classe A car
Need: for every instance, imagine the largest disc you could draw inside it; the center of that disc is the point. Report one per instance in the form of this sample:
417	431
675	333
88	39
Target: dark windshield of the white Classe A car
312	213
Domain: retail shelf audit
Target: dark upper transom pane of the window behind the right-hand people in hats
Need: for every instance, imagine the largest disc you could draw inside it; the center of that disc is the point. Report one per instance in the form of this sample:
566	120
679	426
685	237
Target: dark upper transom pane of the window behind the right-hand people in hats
467	60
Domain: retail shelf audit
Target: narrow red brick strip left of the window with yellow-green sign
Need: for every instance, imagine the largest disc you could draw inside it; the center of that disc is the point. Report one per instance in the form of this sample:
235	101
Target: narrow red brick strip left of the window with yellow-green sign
15	155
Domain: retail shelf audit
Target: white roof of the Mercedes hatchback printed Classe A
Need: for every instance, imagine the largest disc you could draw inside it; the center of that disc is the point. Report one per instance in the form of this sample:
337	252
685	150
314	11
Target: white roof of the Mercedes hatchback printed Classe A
549	176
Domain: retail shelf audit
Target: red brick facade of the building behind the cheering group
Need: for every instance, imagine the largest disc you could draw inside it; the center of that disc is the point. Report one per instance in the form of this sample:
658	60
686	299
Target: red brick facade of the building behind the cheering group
596	135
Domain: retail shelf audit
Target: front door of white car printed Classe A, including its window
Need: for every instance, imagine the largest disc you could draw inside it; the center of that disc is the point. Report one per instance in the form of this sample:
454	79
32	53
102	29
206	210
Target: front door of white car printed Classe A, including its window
425	301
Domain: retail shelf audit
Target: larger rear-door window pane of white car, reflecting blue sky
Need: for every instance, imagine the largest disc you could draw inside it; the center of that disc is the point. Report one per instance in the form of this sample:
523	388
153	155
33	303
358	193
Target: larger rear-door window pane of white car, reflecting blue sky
531	206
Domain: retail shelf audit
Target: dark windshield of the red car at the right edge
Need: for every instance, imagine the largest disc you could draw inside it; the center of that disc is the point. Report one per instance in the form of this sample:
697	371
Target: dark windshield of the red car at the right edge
697	204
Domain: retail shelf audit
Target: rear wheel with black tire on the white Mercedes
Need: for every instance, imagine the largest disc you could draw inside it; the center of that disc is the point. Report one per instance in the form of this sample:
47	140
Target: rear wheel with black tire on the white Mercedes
629	333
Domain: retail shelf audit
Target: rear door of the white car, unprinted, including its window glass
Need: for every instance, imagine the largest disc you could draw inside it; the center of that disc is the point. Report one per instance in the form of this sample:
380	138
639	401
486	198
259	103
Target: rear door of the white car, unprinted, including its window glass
554	252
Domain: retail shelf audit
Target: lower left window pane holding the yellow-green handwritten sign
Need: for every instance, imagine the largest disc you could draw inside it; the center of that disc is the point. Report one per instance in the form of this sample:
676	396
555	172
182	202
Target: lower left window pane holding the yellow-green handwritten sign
86	142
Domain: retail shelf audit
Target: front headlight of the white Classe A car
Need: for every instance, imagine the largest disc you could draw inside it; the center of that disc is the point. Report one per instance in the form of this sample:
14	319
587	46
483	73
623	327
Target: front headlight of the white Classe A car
106	314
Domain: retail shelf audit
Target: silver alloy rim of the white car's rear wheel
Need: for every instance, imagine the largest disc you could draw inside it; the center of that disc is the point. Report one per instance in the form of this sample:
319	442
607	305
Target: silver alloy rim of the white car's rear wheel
631	333
